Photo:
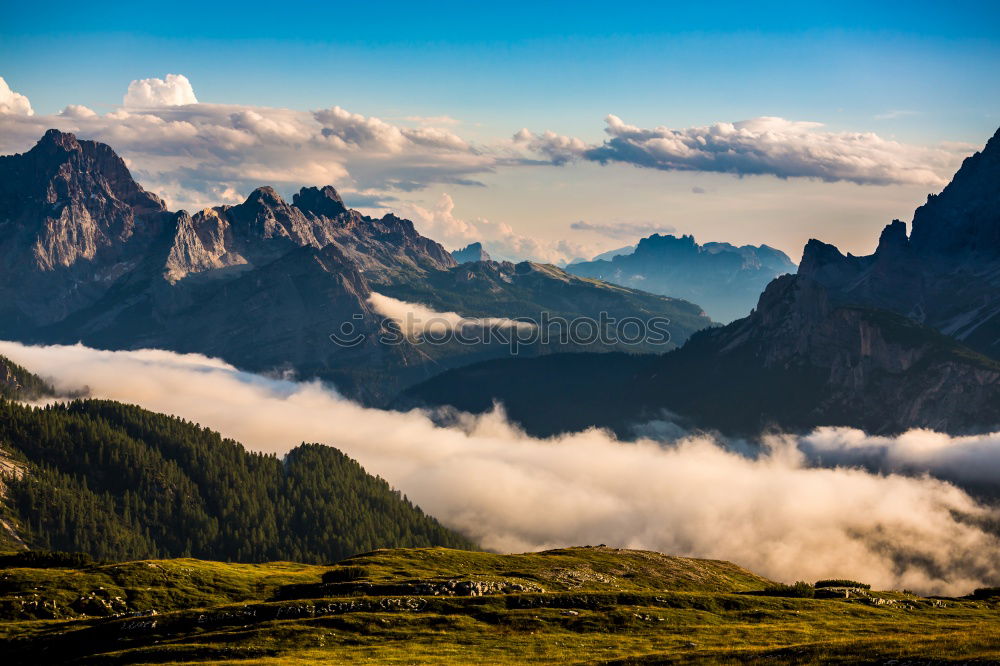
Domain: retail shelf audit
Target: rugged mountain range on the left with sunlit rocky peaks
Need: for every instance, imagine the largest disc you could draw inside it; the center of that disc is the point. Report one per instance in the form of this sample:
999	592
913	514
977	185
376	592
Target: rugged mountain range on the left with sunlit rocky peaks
87	255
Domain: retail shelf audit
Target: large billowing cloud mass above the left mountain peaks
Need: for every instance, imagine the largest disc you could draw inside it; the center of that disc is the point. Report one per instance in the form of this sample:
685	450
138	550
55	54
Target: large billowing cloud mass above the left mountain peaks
196	154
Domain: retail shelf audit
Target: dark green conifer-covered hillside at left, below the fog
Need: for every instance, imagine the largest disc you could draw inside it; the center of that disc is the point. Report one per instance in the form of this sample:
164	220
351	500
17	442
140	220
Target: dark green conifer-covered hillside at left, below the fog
120	482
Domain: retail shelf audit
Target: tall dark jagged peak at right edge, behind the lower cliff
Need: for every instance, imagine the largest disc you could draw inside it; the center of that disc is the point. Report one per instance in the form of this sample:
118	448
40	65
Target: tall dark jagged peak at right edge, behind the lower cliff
946	274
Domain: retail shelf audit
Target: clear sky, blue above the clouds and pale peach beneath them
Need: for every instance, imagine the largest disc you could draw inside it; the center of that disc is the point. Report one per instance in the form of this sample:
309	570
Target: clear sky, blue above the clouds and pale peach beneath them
919	73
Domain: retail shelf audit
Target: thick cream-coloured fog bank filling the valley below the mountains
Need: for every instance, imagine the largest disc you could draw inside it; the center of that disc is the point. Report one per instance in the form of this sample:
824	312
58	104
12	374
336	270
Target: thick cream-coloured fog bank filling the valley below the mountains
772	513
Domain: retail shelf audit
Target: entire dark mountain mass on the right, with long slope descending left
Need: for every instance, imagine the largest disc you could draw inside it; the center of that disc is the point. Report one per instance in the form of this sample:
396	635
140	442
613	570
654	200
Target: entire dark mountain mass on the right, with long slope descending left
904	338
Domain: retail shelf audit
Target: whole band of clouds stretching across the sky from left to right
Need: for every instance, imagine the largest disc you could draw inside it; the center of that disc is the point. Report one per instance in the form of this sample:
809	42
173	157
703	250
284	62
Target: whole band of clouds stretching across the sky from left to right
196	154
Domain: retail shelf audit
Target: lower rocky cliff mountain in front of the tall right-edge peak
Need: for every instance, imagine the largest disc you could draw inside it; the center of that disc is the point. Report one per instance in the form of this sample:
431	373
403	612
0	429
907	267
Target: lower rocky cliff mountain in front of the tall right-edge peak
842	365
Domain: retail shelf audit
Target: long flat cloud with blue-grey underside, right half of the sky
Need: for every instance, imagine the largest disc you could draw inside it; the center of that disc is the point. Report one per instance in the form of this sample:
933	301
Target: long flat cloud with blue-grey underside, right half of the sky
759	146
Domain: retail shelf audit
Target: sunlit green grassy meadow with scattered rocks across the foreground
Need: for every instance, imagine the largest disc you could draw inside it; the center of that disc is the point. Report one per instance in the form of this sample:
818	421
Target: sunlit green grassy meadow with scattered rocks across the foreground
598	605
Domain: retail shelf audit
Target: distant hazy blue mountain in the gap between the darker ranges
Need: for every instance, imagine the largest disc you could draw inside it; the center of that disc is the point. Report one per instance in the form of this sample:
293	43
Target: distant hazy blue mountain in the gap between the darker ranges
724	279
